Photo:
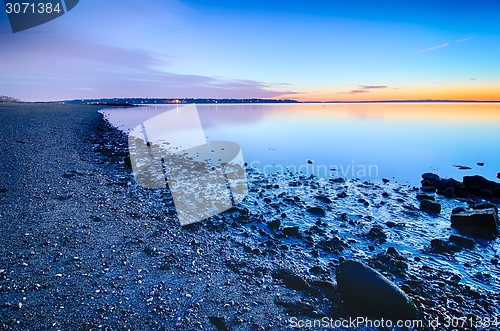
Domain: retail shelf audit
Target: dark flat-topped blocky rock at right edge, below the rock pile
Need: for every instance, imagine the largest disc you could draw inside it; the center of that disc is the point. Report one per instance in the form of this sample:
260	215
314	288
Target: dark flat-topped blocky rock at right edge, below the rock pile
481	218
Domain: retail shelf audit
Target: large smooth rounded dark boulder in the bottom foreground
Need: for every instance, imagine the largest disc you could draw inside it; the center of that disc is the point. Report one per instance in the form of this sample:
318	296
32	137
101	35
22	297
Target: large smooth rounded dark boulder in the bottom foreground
370	293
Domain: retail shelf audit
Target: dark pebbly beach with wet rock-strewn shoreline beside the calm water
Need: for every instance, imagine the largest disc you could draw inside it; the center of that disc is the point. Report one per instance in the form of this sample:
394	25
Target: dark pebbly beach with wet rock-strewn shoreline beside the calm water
83	247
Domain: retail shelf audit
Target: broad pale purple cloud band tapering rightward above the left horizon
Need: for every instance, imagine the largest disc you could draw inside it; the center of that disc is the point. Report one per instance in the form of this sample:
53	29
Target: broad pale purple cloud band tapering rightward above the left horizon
63	68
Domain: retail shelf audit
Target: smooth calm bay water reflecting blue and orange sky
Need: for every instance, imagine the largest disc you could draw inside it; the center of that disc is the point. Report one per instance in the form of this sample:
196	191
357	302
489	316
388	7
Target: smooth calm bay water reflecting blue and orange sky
399	141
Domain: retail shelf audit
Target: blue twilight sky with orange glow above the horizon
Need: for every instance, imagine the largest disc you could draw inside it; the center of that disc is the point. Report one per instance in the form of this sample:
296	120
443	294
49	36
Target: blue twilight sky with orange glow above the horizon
303	50
